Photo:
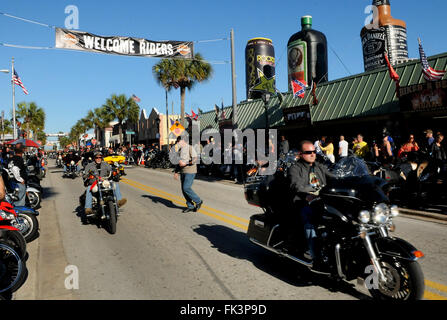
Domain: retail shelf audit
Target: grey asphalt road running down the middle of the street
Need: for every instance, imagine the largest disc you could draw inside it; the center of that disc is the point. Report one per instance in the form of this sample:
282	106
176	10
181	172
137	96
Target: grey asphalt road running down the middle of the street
159	252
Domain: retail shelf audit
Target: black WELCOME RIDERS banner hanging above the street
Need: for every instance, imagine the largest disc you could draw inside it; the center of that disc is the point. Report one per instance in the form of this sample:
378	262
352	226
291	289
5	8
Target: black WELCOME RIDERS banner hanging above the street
83	41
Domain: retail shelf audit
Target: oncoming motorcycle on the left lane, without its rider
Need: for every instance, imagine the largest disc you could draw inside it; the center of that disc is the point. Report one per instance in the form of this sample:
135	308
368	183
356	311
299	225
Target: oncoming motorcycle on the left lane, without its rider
104	203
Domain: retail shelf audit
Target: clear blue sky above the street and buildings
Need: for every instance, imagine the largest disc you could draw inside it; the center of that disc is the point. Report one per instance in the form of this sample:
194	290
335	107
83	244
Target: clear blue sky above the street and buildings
68	83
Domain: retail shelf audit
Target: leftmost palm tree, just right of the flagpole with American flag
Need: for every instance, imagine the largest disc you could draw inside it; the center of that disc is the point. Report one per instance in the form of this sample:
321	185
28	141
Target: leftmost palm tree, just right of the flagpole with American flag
32	116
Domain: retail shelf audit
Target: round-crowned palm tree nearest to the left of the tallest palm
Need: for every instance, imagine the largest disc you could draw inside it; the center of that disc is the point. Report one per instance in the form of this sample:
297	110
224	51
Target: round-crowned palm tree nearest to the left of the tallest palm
122	109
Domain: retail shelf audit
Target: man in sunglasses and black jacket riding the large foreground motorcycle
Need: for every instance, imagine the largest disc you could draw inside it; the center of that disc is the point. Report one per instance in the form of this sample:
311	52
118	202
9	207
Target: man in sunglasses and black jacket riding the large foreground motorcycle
307	177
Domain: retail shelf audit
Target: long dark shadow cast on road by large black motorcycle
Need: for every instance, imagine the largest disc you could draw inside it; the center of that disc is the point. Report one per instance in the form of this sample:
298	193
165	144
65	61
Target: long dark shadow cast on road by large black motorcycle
237	245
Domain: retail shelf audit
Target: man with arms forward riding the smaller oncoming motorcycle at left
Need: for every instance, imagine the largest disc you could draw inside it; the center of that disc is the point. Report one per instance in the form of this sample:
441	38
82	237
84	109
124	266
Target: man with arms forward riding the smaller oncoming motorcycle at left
102	169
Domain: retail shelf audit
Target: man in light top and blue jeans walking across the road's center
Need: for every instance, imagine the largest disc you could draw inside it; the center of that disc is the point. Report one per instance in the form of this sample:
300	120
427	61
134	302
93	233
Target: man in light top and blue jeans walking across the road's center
187	169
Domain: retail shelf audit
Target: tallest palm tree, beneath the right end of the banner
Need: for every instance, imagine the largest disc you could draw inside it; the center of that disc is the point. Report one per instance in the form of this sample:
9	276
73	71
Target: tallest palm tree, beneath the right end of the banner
182	73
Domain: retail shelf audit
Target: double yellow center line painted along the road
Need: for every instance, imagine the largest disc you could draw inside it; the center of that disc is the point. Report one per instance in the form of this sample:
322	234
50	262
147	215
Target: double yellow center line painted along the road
427	294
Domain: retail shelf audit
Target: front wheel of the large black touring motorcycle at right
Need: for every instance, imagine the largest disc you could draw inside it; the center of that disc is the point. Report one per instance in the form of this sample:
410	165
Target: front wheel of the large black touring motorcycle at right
405	281
